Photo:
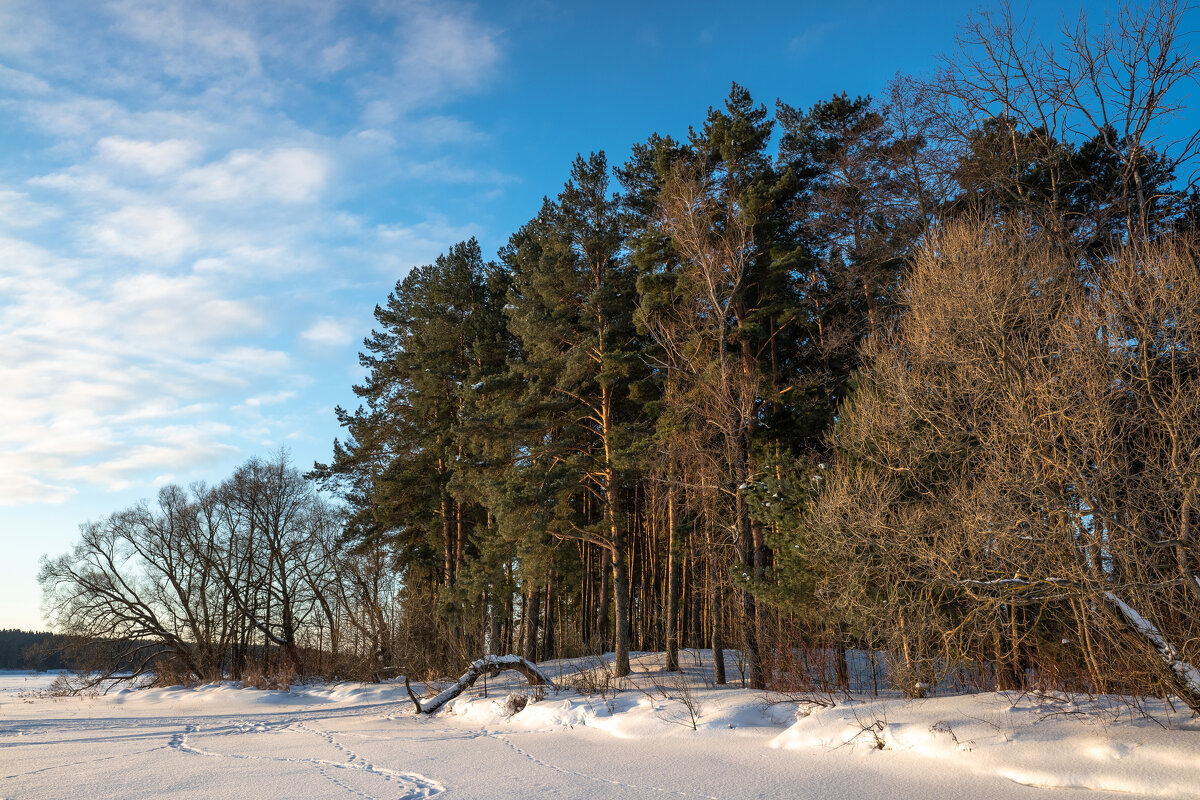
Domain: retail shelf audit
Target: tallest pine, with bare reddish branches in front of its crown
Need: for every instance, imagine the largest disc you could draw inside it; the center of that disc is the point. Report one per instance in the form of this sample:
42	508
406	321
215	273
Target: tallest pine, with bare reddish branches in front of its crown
719	306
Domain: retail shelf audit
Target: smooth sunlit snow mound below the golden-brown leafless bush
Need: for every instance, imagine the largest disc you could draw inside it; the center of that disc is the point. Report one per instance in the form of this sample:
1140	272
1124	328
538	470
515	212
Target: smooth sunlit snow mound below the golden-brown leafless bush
1101	745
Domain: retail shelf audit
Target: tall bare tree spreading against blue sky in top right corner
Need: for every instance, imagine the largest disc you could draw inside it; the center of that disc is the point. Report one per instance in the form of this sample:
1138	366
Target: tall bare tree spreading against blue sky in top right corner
1108	91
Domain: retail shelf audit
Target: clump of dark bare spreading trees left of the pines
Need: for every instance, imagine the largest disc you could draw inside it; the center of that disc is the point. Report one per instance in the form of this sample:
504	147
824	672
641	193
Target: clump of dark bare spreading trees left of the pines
182	588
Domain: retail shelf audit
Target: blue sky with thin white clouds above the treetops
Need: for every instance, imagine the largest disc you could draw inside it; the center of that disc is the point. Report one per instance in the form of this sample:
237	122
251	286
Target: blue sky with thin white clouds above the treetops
201	203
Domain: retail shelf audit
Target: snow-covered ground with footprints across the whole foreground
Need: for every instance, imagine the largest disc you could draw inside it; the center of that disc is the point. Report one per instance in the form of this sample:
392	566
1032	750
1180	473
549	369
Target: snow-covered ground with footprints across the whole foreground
357	741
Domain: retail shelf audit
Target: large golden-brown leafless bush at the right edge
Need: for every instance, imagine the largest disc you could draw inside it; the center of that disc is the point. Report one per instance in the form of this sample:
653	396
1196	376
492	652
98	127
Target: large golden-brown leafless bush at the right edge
1021	466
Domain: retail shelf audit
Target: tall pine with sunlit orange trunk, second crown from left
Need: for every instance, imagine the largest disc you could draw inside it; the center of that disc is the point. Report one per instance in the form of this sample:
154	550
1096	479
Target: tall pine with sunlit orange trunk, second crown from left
572	310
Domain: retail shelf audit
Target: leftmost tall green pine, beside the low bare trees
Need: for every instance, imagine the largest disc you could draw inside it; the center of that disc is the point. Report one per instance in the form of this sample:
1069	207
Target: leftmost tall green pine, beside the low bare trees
440	335
